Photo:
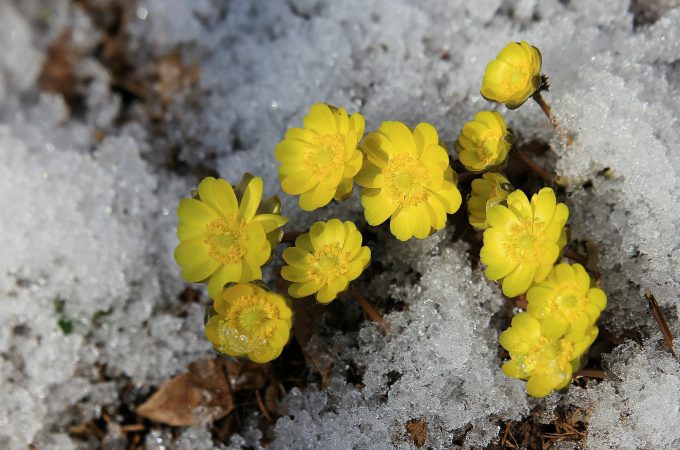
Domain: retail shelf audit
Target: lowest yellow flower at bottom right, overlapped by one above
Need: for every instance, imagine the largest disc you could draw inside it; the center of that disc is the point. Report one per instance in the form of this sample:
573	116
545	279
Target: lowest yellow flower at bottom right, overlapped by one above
547	362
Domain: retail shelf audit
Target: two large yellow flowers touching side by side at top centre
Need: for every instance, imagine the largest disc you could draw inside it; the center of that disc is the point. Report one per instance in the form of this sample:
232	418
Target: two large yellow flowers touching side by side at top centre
405	174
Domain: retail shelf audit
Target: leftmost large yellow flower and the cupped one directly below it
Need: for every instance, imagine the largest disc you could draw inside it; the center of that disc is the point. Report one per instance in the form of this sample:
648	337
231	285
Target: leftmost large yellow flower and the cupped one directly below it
226	235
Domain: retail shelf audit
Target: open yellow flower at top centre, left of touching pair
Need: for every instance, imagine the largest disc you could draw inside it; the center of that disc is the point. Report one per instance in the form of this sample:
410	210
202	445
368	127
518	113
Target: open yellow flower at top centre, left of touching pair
319	161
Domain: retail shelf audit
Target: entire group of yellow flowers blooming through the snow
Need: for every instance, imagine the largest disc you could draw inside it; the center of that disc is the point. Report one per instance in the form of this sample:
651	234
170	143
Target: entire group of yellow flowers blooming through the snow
227	233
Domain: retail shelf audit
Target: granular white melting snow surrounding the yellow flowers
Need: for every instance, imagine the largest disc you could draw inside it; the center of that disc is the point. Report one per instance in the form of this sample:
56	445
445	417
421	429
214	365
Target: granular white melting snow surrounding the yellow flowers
88	204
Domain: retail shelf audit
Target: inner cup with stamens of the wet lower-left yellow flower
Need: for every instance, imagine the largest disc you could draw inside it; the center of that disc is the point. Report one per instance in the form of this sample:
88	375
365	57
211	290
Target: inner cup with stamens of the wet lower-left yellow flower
250	322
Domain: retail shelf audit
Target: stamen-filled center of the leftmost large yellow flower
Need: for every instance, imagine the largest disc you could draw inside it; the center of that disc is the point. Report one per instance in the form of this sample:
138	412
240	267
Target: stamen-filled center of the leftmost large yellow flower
226	238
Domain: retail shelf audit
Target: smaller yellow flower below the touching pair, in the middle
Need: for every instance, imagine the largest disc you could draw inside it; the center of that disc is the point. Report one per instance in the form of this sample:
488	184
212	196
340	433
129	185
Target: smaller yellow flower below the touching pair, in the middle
325	260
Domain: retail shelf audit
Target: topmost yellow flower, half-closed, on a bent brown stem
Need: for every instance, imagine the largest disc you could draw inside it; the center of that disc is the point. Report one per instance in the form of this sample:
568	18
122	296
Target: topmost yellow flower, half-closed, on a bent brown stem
513	76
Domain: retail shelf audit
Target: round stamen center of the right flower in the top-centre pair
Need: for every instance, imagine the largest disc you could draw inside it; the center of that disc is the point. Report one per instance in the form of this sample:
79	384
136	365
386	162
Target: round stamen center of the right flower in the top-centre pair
405	180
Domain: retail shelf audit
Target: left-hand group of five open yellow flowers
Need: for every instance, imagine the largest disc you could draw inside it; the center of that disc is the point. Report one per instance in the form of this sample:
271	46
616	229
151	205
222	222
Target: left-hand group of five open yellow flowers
227	233
